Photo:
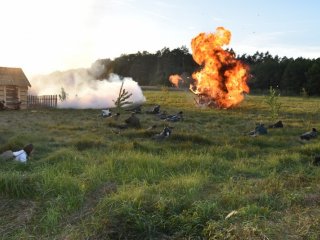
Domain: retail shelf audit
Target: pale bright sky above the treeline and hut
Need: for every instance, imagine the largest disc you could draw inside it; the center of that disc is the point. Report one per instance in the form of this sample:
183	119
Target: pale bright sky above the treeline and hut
42	36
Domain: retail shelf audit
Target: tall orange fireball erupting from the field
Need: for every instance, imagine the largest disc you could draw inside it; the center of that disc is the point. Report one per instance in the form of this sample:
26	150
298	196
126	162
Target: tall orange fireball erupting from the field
222	81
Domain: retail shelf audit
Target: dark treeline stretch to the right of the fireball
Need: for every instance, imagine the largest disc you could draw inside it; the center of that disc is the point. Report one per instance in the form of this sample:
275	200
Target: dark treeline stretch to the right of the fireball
290	76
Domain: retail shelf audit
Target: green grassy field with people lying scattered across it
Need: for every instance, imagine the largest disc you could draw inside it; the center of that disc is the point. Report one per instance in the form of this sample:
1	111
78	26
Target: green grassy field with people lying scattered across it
208	180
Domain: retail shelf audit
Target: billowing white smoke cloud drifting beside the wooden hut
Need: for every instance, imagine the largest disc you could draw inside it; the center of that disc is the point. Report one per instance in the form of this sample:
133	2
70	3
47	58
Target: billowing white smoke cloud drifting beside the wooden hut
83	90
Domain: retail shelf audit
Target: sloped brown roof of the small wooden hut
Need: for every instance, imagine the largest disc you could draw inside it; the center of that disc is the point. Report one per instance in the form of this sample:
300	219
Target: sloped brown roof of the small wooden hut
13	76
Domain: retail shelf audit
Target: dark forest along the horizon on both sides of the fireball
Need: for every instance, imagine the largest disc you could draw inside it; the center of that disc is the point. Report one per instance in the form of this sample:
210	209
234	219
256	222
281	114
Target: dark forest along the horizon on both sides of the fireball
290	76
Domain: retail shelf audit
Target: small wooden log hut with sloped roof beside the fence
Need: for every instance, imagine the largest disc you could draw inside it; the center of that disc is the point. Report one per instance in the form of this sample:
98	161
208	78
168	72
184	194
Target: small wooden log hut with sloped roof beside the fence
13	87
